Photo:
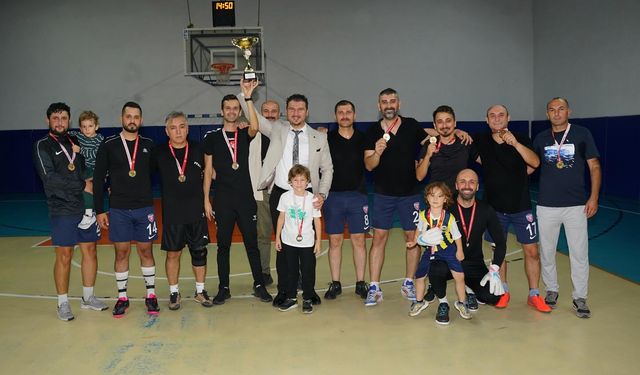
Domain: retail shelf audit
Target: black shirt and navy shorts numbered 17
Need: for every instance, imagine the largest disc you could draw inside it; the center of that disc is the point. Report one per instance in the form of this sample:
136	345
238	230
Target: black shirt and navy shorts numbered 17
507	184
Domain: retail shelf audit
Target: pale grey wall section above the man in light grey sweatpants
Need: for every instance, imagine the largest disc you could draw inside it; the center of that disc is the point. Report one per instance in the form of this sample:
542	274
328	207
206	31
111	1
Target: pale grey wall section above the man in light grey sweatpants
589	52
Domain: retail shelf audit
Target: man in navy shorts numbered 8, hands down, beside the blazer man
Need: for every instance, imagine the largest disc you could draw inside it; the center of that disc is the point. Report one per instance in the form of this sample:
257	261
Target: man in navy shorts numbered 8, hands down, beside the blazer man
348	202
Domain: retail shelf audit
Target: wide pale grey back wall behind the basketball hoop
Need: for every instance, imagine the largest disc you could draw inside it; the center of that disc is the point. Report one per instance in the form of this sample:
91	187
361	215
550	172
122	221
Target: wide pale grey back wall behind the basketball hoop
99	54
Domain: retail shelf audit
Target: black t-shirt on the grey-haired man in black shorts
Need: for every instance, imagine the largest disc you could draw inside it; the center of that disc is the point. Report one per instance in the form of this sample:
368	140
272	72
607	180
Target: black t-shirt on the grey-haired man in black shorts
182	202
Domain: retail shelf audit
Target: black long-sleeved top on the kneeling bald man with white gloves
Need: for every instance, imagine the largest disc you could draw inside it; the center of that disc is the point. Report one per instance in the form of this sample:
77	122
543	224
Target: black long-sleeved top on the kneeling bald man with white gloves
485	219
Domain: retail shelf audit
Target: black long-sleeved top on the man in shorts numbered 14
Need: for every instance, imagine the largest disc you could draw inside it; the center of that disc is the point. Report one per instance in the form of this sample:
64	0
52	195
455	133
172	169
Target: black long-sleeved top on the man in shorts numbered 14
127	192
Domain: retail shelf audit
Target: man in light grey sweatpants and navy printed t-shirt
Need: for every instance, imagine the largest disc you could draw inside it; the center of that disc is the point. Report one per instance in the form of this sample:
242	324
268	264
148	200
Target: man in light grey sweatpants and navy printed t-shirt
565	150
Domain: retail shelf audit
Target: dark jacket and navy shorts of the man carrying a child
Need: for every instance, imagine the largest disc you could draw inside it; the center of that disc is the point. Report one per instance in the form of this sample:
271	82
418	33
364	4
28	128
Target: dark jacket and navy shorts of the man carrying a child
63	186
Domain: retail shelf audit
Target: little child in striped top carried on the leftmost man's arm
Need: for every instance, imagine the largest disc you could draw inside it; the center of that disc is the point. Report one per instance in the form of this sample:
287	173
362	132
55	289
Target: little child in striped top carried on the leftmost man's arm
89	141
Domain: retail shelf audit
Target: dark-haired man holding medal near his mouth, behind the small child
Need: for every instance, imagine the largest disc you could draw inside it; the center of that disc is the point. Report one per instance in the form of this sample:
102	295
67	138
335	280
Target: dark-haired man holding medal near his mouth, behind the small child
445	155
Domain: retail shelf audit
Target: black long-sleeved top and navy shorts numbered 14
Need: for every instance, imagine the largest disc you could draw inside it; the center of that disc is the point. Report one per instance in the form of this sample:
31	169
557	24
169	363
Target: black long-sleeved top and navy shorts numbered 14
130	200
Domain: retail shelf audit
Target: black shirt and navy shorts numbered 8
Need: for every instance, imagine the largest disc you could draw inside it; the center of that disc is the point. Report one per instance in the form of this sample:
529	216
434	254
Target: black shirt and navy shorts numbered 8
347	201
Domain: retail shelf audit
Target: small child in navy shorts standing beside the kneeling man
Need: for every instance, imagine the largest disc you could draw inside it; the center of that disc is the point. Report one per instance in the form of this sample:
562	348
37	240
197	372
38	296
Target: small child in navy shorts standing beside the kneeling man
438	232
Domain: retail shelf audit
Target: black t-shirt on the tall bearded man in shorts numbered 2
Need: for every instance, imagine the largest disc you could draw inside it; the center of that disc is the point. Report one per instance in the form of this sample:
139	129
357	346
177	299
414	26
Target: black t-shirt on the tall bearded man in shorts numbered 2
395	175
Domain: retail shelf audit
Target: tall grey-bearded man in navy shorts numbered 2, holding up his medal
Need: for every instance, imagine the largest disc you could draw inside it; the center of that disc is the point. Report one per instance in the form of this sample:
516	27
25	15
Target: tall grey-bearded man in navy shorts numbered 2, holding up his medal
390	150
